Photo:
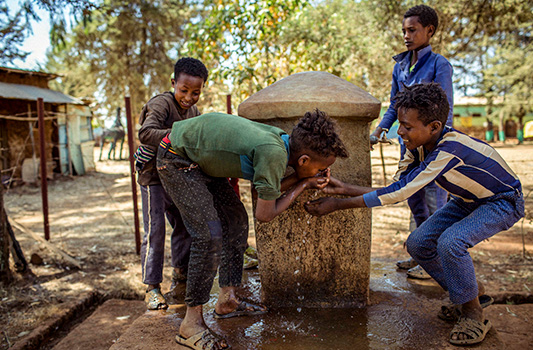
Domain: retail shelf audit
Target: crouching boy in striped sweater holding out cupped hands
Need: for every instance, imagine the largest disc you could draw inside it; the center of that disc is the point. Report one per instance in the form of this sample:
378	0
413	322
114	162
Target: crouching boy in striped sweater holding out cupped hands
486	199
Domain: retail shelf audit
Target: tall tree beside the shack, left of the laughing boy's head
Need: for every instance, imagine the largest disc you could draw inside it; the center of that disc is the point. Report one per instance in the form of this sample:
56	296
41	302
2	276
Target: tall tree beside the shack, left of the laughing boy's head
123	49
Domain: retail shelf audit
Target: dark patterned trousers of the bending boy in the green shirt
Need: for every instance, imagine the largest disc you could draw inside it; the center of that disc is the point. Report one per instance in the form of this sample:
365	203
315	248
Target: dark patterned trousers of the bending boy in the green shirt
214	217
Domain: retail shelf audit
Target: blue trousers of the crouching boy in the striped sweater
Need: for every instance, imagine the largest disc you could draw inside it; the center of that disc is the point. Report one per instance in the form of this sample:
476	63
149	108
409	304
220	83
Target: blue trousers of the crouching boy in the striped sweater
440	245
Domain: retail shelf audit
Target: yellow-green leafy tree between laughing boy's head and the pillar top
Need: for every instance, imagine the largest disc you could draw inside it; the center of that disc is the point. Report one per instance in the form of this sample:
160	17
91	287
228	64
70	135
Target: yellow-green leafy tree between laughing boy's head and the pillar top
238	40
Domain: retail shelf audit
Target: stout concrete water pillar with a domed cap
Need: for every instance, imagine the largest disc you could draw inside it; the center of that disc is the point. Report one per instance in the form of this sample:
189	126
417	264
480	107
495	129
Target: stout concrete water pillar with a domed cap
304	260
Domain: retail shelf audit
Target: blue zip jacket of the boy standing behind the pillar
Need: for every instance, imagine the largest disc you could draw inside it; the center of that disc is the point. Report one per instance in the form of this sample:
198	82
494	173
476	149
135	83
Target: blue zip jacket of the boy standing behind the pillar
431	67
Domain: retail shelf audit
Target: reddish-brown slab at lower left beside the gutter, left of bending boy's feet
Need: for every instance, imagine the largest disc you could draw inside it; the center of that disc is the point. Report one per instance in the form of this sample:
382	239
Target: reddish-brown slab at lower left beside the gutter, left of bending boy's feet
104	326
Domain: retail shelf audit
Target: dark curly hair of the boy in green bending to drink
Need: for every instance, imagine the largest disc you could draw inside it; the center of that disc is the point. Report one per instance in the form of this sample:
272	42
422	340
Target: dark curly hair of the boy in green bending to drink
316	132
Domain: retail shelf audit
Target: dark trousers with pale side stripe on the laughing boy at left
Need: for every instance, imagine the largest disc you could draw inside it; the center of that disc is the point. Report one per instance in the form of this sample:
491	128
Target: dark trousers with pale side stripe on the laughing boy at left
157	204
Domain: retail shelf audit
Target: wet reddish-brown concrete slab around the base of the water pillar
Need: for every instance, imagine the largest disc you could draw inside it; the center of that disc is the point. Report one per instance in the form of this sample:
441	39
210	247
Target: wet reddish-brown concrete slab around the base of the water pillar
401	315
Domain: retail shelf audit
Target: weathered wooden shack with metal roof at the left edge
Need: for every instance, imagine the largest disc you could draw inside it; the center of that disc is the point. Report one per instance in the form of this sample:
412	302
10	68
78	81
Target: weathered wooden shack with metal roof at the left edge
69	138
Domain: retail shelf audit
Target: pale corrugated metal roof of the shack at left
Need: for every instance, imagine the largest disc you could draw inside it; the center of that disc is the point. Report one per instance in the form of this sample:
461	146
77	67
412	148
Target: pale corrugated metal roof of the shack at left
28	92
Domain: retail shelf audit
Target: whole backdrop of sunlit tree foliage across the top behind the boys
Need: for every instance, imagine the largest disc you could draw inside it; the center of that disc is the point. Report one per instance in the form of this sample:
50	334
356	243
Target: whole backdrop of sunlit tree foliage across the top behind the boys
118	47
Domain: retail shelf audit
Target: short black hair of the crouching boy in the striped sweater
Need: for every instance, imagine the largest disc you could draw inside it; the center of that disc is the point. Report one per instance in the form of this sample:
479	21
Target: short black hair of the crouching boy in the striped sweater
428	99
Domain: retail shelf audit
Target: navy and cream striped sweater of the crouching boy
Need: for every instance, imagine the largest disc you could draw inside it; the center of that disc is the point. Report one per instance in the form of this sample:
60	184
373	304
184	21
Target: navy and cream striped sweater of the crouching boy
462	165
